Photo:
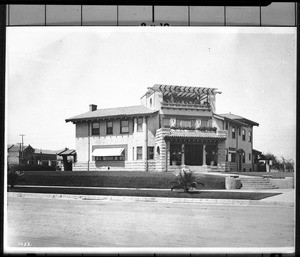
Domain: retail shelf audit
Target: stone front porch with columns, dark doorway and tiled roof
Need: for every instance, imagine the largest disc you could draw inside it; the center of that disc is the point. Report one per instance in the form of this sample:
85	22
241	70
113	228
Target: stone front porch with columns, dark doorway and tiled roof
199	151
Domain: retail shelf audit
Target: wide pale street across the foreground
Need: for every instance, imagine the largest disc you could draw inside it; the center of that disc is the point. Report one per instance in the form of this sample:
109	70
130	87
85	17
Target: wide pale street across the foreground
91	223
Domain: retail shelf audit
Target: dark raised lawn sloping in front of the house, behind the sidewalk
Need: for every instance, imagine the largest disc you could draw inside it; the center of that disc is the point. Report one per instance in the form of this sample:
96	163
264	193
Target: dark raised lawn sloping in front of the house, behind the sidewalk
123	179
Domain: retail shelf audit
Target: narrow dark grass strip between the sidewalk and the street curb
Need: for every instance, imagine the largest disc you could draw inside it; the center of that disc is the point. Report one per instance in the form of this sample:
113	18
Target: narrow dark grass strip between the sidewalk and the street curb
147	193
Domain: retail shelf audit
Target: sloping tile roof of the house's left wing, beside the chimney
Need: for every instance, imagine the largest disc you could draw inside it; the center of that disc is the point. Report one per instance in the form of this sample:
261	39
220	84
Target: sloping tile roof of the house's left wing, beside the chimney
114	112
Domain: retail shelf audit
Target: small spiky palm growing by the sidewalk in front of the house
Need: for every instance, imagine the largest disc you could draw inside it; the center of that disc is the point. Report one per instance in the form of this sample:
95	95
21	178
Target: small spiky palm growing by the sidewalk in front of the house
185	180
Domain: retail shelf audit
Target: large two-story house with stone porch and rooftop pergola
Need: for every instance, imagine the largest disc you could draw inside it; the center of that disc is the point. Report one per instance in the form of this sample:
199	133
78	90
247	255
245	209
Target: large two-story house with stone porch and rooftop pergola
174	127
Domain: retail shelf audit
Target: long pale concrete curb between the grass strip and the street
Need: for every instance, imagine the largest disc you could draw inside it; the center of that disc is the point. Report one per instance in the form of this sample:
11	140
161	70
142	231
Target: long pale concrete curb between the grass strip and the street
151	199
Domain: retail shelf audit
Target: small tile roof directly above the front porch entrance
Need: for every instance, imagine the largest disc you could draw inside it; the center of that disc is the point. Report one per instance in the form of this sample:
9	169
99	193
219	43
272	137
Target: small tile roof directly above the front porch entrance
194	134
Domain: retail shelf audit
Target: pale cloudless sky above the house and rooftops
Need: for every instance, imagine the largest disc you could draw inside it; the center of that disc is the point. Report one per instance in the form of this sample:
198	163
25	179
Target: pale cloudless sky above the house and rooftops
54	73
